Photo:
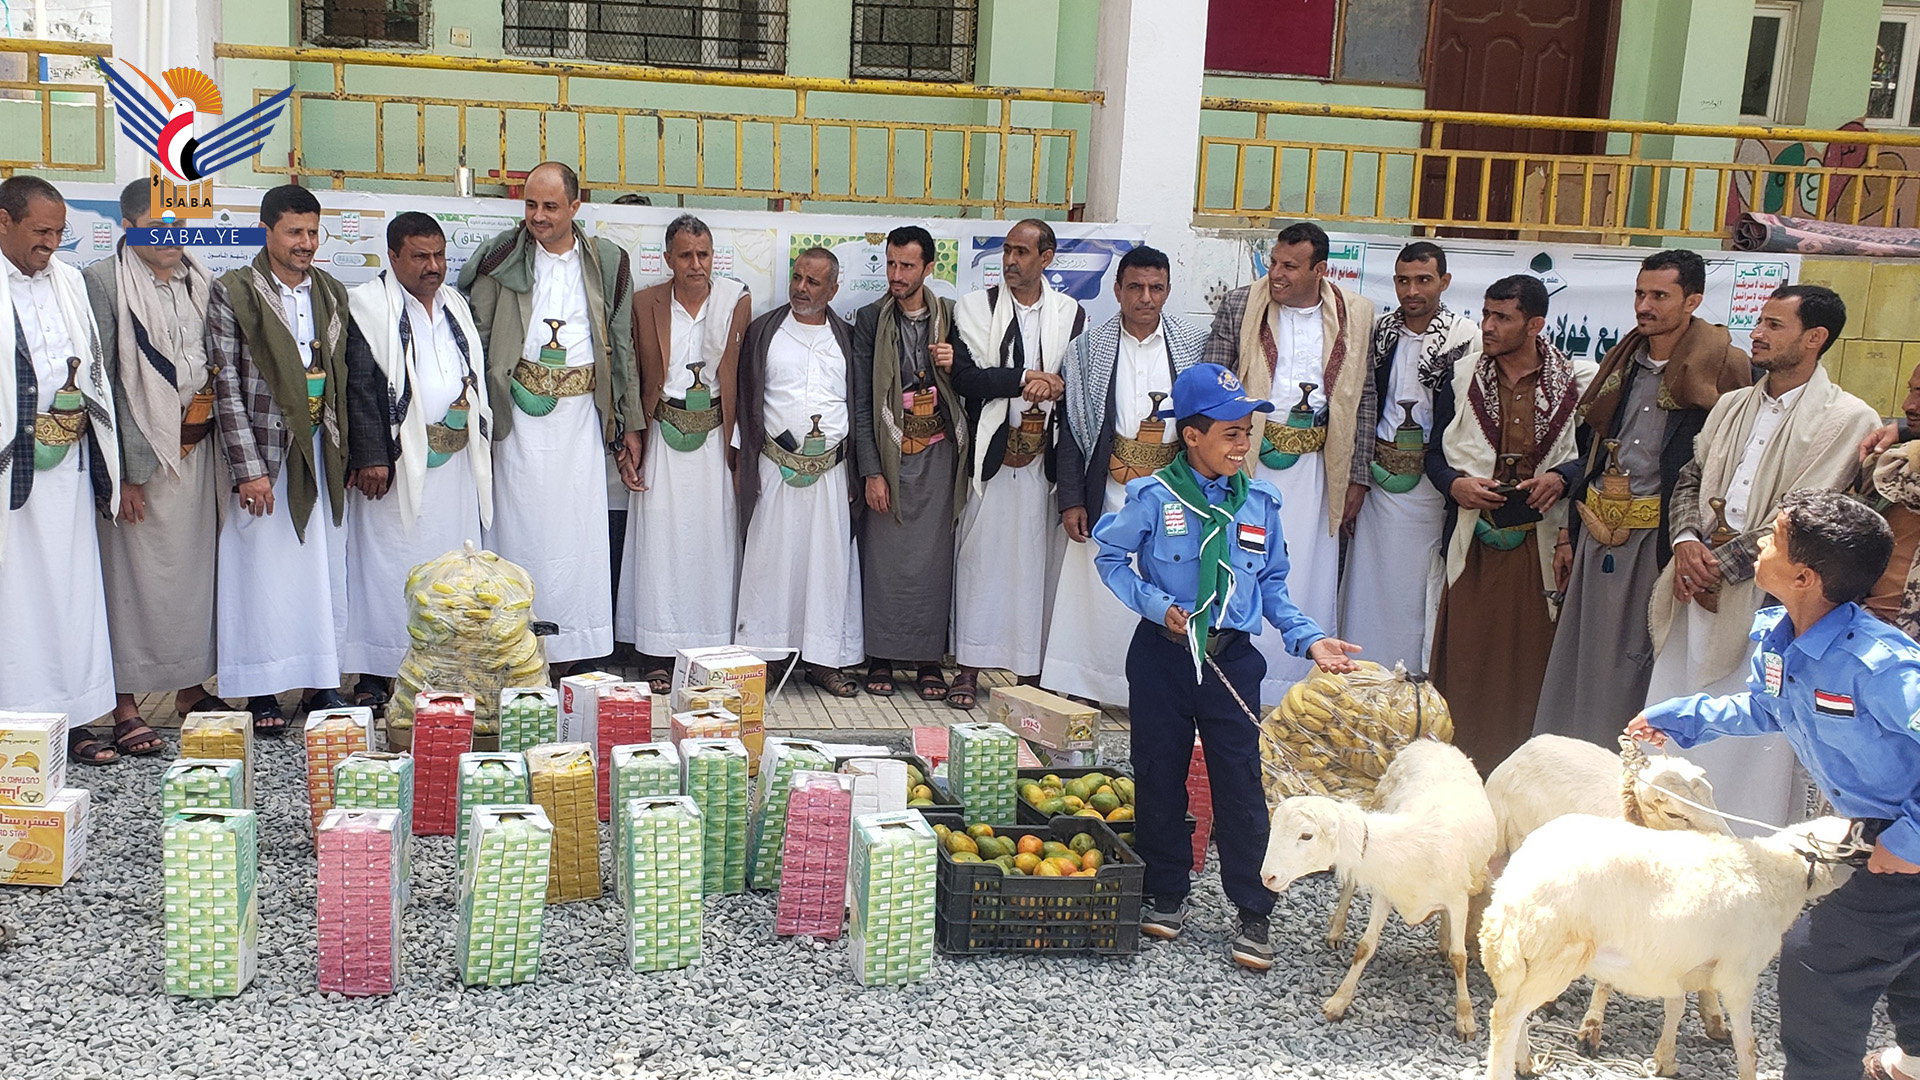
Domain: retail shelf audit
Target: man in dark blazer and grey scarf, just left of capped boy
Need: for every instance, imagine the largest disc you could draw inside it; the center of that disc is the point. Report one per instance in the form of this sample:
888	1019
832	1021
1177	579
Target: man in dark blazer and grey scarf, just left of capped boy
1118	380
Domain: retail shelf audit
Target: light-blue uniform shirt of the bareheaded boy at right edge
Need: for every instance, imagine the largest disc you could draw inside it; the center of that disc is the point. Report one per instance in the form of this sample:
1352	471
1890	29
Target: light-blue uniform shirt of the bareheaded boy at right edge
1846	695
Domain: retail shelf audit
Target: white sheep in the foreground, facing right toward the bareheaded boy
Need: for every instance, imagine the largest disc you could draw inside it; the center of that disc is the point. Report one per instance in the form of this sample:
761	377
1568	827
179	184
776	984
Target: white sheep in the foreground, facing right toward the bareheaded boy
1650	914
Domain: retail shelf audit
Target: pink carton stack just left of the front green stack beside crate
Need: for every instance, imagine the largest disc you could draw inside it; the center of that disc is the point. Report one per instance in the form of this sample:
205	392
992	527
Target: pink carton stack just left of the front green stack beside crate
813	881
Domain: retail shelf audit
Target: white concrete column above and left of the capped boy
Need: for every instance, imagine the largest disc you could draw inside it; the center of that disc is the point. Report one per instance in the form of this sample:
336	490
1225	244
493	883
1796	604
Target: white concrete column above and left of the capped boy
1145	147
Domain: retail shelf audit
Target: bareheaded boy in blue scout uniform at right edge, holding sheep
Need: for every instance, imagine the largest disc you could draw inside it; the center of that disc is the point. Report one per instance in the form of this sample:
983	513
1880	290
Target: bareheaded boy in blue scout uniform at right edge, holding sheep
1846	691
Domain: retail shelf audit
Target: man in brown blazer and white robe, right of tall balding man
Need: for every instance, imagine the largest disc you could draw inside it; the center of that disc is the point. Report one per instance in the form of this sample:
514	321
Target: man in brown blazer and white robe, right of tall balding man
683	541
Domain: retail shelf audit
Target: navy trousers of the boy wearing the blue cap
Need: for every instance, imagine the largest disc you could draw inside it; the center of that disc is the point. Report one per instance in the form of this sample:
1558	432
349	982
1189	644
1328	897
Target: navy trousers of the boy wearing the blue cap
1166	710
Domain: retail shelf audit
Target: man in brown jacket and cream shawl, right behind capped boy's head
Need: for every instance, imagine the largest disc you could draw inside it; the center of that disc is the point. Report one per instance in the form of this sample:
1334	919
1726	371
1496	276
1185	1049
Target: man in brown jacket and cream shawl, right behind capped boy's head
1301	341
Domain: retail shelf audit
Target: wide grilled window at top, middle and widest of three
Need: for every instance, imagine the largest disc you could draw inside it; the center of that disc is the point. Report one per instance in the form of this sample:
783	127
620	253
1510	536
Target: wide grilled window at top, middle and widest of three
729	36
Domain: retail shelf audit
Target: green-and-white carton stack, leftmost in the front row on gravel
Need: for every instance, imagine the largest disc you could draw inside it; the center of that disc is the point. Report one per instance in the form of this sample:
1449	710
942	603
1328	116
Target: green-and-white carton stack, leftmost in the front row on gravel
210	870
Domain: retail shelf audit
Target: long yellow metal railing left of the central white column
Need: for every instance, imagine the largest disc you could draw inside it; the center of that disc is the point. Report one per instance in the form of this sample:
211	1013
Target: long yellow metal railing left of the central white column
694	153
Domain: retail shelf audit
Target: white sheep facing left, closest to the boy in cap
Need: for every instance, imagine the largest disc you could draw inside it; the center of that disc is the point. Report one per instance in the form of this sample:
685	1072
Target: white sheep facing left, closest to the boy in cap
1424	850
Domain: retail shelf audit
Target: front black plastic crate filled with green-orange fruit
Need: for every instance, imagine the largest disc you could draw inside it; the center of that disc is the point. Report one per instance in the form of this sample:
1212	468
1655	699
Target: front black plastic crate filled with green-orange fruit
1068	906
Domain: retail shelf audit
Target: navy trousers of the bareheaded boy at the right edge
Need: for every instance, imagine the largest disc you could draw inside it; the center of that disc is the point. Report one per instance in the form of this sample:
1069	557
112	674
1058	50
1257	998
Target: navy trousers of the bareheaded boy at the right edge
1844	954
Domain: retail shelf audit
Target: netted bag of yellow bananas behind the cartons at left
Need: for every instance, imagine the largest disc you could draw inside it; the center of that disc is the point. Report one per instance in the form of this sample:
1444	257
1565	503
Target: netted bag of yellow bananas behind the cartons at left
469	616
